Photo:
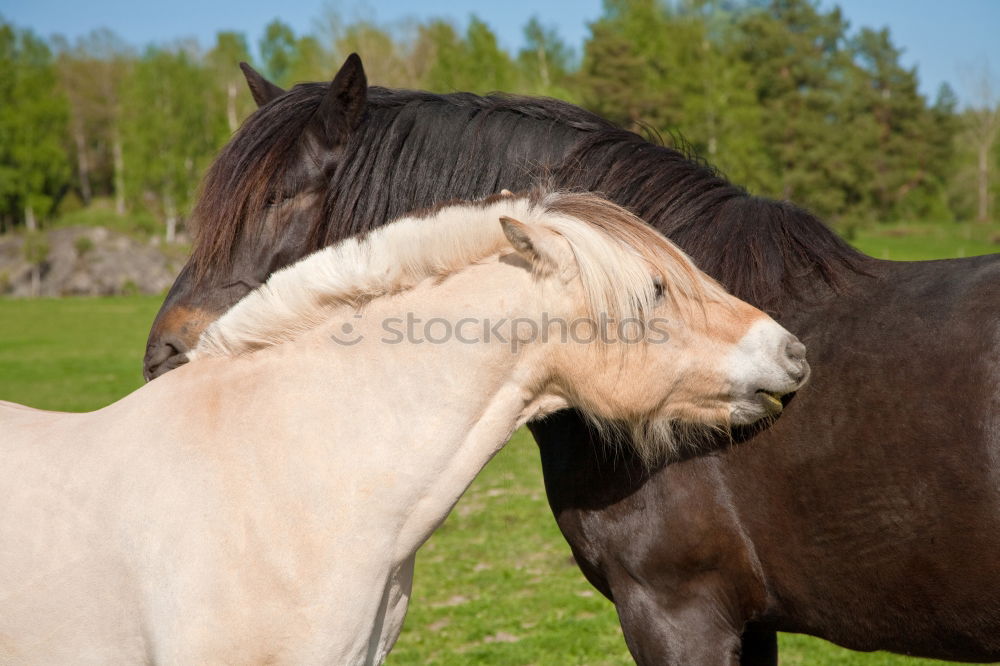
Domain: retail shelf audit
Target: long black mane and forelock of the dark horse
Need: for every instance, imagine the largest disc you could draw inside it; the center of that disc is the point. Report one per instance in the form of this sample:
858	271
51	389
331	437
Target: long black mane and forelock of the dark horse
415	149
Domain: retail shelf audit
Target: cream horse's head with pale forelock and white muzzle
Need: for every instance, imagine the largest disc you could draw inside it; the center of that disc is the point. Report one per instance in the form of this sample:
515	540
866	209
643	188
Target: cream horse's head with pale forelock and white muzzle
643	339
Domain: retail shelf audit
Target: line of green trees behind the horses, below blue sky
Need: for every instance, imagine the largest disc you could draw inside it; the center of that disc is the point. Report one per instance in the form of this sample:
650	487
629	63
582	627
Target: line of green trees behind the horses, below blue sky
782	96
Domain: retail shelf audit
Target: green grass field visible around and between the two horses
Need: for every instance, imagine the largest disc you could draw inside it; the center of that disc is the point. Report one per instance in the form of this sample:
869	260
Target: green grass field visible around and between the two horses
496	584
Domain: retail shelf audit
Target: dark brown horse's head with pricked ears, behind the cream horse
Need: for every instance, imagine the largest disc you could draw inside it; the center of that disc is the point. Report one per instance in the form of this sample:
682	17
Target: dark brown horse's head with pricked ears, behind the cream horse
259	203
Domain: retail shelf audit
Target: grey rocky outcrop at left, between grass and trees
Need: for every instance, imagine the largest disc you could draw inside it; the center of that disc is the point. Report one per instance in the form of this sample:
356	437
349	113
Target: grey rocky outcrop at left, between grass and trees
90	261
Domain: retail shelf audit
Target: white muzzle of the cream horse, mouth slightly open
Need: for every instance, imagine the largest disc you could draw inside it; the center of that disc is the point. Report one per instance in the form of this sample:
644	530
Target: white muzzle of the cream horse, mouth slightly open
765	364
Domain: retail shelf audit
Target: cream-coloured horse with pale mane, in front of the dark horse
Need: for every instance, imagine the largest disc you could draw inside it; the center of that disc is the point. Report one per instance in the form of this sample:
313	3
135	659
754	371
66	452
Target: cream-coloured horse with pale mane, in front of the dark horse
264	503
